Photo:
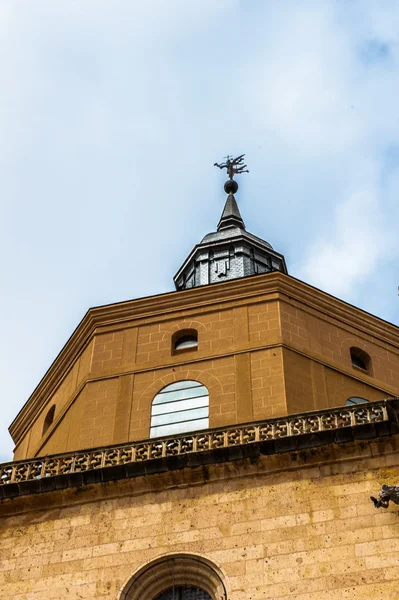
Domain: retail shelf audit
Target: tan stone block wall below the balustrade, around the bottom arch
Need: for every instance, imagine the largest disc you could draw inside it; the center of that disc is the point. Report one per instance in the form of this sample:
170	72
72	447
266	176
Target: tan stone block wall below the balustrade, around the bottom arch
288	526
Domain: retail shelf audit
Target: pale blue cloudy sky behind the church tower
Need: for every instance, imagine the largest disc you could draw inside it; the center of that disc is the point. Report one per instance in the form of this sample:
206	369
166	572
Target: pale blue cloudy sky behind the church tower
112	115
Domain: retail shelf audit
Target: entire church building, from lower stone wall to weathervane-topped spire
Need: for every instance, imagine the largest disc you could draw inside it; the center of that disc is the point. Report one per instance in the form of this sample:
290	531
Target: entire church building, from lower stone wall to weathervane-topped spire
218	441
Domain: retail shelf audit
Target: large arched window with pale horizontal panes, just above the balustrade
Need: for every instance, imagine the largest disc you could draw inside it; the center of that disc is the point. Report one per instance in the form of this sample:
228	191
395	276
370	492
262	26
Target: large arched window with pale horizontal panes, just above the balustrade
180	407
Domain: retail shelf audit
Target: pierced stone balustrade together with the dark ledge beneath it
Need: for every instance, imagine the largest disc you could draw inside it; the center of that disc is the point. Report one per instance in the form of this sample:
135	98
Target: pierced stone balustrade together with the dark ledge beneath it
277	435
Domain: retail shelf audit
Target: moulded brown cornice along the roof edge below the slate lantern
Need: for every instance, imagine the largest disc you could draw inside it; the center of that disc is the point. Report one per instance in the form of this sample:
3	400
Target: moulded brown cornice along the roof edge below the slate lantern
252	289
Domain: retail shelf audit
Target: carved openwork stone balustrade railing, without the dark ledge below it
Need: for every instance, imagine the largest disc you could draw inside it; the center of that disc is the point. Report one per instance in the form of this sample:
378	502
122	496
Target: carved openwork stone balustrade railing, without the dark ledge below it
199	441
